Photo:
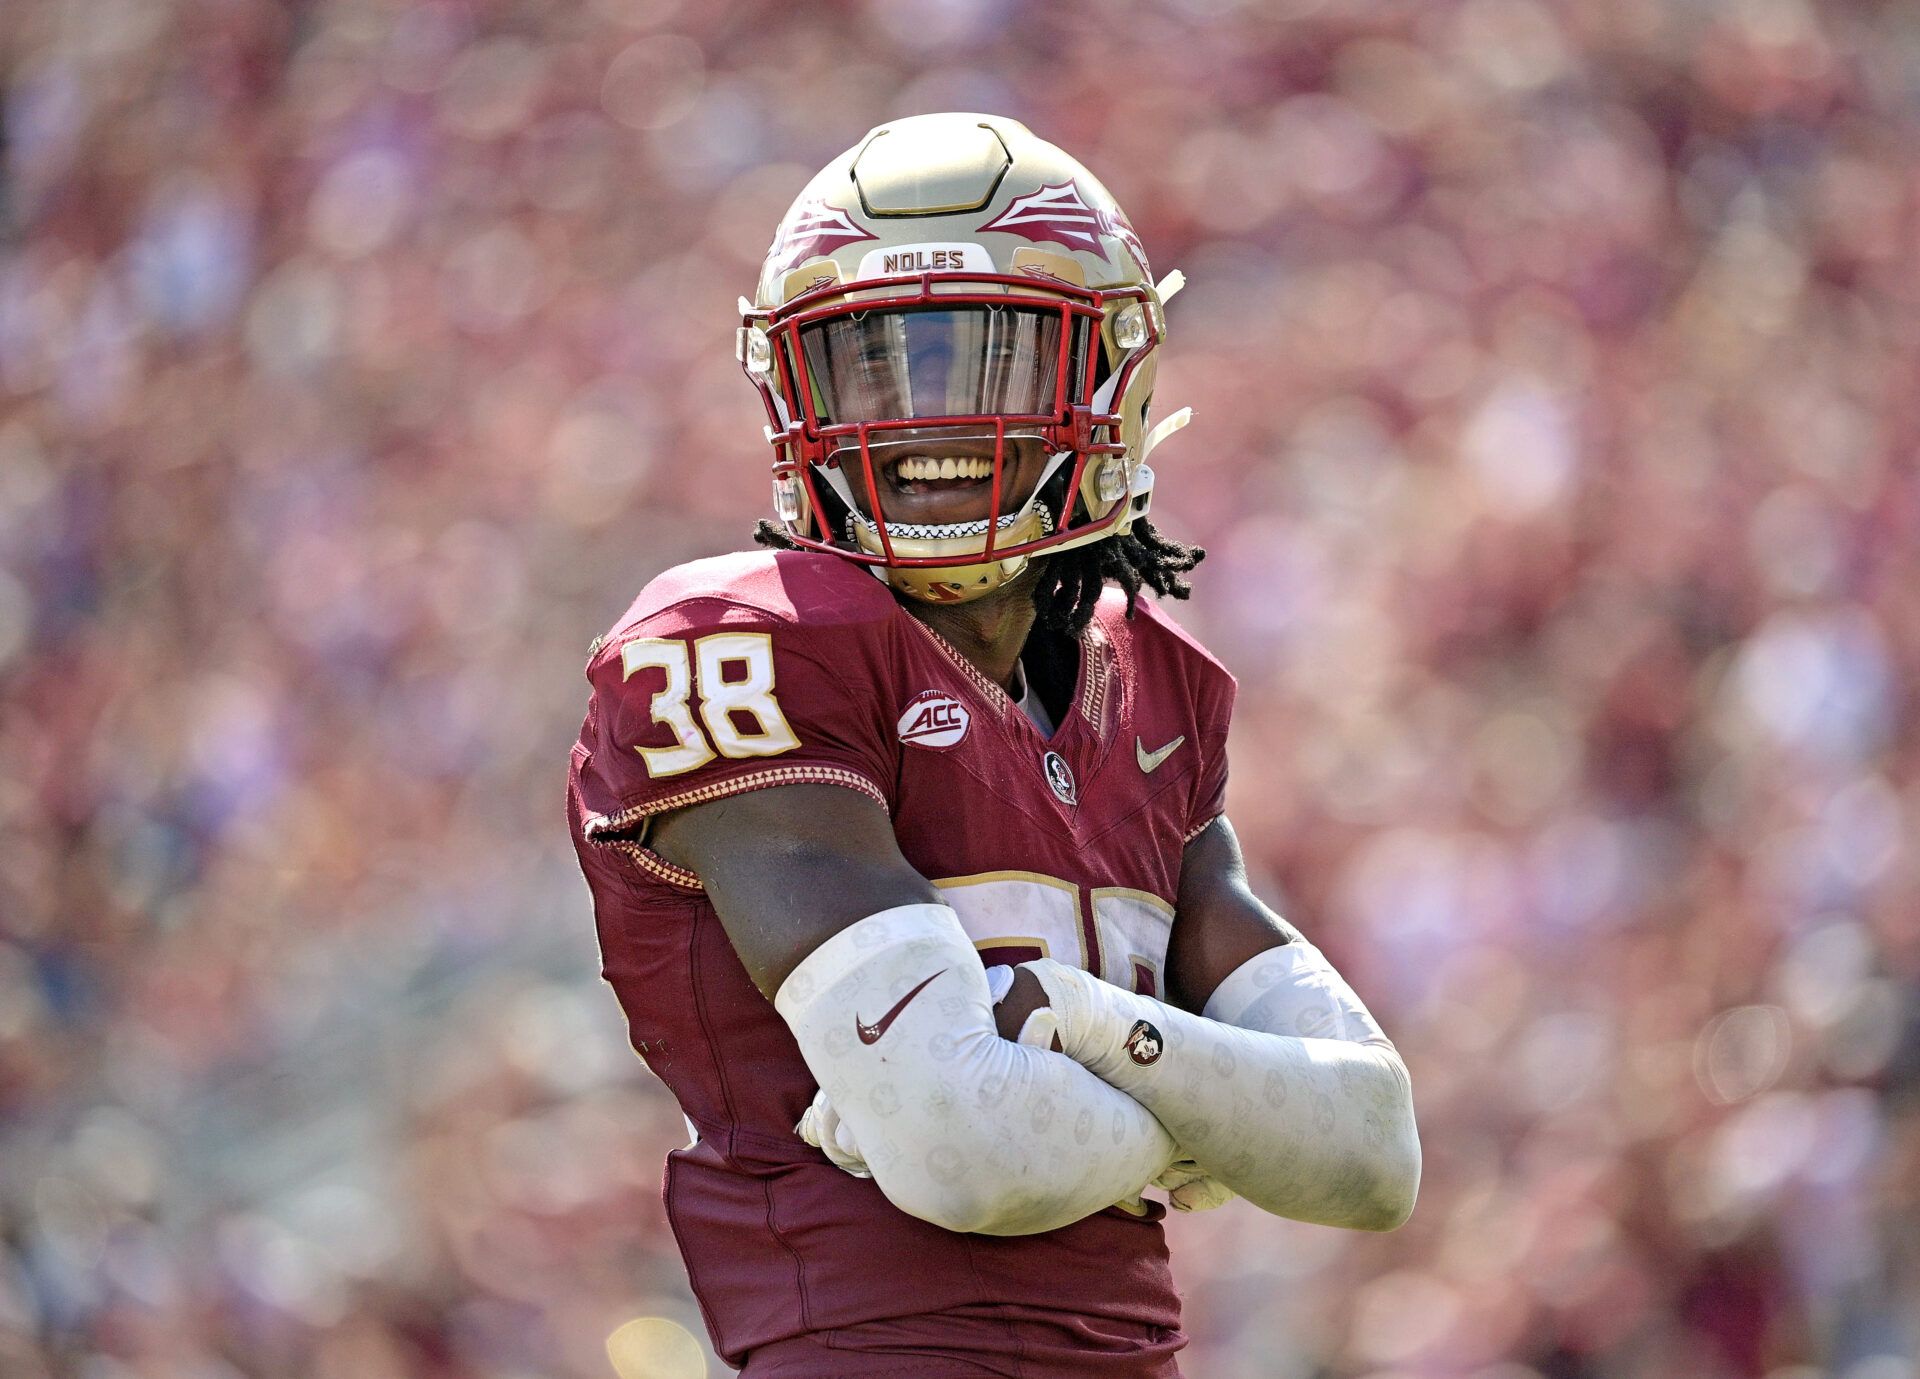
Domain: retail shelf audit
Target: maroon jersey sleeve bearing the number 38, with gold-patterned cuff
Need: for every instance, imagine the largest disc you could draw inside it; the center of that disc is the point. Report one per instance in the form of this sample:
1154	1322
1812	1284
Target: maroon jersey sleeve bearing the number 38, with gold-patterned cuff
709	698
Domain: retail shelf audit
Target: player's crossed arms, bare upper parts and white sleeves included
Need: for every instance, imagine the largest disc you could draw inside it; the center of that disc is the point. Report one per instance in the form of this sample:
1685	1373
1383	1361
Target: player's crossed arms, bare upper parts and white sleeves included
1001	1138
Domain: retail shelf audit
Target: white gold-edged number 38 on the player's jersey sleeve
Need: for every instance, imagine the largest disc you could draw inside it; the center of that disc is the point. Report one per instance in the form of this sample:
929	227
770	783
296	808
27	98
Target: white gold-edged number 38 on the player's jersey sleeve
732	673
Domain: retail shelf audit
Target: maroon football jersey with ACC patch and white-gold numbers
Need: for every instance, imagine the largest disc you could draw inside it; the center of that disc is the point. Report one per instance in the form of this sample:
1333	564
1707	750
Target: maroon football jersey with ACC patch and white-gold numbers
769	669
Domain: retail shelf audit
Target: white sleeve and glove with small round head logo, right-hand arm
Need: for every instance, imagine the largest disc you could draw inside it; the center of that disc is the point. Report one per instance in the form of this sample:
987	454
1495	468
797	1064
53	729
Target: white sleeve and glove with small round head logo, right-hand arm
1307	1115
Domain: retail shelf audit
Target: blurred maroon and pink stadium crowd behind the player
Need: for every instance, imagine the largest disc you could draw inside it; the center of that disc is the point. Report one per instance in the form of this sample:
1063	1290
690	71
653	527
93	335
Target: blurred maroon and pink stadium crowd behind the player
1556	381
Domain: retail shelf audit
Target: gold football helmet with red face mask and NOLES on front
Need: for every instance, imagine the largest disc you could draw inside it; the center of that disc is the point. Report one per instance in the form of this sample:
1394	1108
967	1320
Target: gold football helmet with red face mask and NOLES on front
955	278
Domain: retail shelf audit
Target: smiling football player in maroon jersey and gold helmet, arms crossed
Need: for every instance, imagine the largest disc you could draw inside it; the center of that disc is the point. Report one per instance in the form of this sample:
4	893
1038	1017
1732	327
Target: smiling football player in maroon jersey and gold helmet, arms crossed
905	836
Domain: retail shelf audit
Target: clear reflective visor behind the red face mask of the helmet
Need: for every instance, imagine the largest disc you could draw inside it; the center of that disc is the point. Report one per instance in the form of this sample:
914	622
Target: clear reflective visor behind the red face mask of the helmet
940	362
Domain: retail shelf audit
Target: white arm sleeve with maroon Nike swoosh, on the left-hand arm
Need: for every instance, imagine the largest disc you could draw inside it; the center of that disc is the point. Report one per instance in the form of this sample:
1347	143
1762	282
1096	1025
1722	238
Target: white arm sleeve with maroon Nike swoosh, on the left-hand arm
957	1125
